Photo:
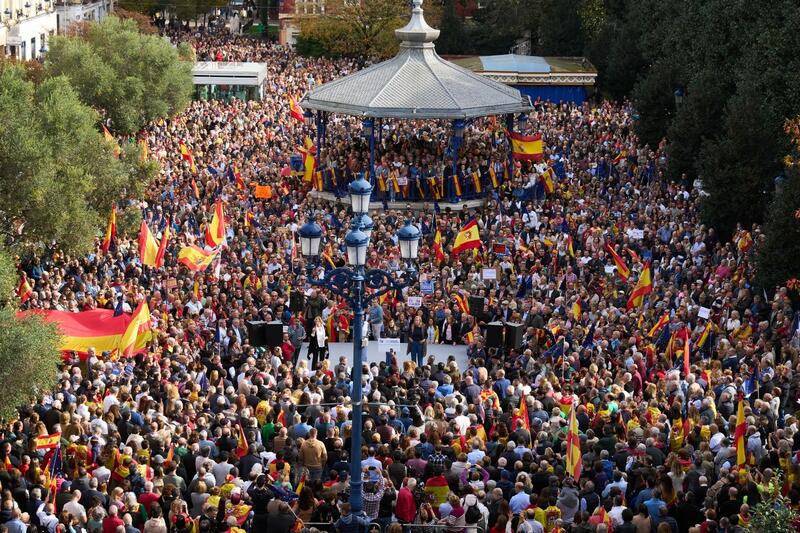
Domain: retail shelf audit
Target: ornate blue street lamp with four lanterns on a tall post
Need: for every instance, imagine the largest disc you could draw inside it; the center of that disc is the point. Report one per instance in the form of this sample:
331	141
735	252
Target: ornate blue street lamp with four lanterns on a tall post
350	283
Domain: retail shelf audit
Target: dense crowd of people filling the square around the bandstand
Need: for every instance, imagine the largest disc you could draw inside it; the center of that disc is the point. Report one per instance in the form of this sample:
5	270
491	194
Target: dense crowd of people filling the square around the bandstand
153	443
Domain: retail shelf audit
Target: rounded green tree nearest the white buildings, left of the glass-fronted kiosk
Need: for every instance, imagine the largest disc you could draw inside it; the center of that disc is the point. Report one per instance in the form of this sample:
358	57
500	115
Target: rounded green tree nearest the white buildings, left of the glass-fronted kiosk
133	78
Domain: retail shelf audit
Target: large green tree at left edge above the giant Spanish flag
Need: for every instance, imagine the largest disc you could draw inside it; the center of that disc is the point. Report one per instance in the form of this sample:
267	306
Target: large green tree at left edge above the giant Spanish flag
57	174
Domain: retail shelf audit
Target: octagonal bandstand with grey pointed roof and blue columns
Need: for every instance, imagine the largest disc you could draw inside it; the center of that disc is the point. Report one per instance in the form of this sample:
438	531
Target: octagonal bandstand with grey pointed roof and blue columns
415	84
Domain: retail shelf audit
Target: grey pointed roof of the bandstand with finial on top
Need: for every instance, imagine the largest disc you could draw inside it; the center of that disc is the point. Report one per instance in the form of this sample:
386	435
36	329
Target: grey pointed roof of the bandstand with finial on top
416	83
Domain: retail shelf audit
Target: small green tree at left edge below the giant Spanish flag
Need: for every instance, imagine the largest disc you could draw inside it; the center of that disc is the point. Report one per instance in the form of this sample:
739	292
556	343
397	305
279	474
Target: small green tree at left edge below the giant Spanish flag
29	359
